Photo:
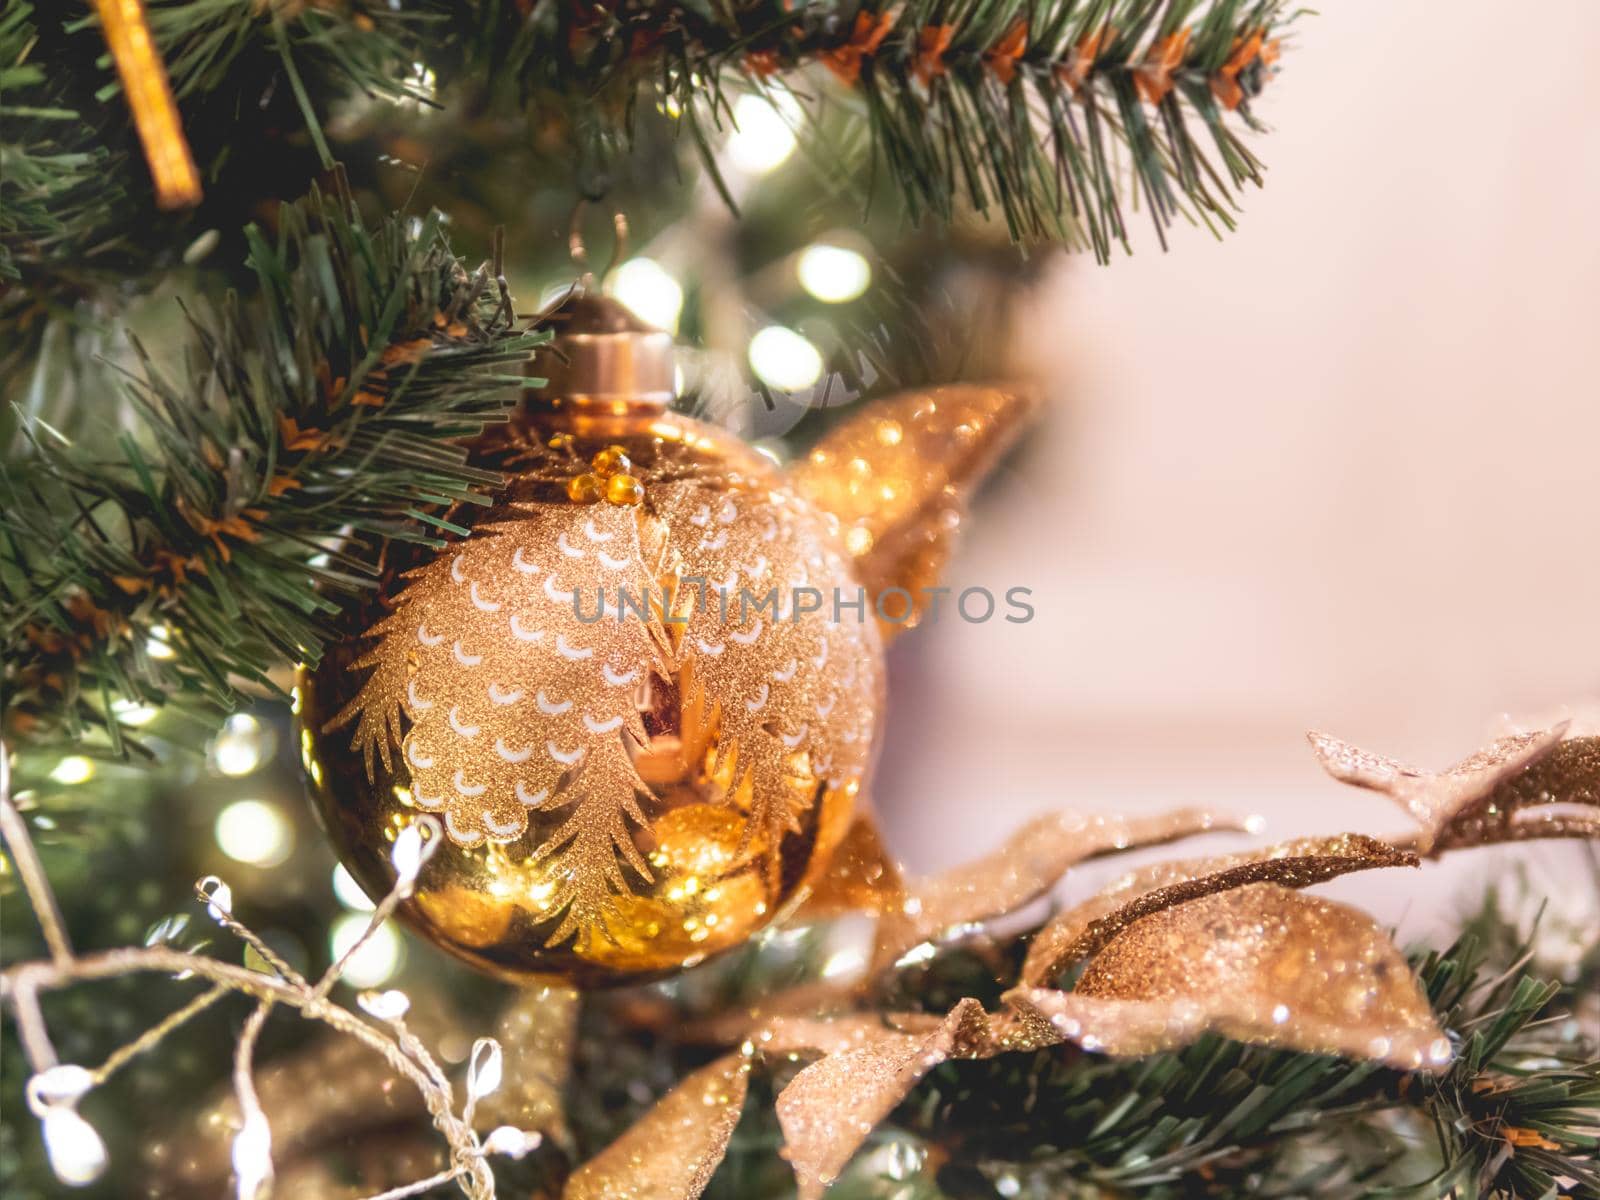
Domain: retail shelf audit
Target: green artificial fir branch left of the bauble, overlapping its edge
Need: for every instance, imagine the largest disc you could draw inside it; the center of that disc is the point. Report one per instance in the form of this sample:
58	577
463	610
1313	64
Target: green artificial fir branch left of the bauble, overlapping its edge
306	428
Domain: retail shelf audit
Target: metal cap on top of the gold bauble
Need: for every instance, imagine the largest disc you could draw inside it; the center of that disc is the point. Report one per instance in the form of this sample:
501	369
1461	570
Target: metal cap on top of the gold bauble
604	359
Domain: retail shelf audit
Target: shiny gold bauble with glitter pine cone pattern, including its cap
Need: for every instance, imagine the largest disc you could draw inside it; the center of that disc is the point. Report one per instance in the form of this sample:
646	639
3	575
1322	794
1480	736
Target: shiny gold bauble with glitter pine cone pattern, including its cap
641	697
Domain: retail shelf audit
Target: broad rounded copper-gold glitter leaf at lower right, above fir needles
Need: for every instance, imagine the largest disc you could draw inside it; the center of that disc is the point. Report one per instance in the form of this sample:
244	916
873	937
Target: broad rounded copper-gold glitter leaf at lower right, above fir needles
1258	964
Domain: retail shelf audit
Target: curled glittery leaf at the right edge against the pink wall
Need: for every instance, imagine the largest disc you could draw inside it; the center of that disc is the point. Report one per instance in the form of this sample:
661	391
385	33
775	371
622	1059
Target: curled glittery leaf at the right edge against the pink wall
1498	794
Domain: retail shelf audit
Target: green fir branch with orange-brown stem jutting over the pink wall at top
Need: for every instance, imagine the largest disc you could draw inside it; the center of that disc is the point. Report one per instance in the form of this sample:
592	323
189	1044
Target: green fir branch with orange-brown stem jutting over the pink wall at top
1057	116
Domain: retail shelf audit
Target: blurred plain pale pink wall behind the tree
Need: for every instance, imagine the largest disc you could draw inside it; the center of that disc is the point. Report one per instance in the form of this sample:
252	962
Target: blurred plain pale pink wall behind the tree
1340	470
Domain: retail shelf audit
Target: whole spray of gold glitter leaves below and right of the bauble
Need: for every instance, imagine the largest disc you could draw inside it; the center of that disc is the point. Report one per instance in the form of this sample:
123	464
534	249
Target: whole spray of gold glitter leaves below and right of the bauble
1172	953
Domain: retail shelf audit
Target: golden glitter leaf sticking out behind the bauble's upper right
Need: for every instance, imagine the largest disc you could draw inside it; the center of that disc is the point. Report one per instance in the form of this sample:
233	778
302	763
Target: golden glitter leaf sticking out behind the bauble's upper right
898	474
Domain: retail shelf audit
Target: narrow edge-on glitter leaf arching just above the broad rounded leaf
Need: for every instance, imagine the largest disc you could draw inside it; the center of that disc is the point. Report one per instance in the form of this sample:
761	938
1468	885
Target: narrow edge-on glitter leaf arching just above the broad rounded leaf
1086	929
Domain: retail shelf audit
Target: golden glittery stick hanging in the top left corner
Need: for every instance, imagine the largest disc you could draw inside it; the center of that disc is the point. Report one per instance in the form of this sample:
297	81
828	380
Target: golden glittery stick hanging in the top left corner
151	100
